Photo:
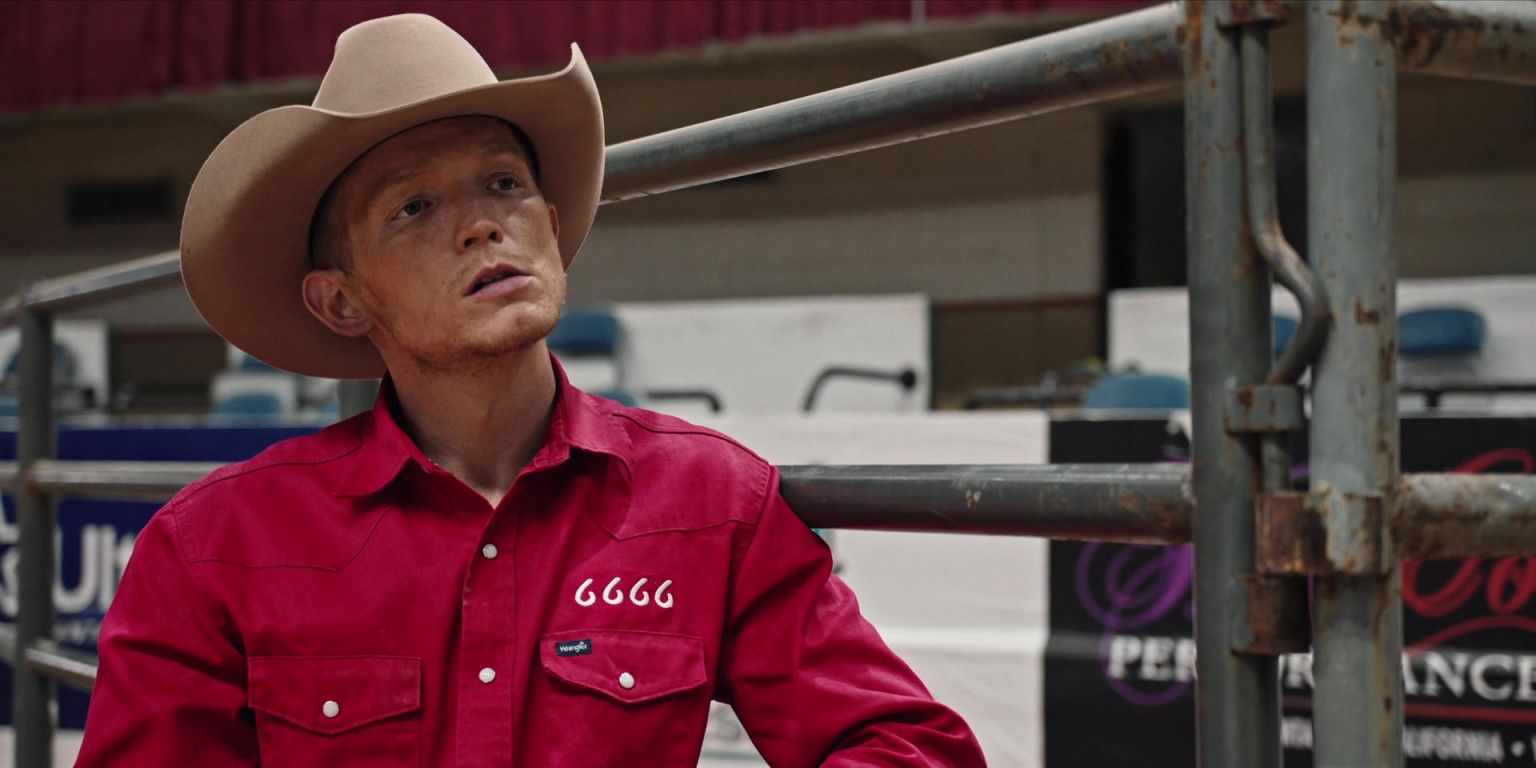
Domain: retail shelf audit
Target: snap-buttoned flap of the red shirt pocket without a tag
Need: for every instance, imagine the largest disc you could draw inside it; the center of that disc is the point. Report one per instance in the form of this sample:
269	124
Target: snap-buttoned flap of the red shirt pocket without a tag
334	694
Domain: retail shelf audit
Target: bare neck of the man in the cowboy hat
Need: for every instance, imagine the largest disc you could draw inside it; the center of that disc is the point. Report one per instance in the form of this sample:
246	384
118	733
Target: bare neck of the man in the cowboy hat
486	425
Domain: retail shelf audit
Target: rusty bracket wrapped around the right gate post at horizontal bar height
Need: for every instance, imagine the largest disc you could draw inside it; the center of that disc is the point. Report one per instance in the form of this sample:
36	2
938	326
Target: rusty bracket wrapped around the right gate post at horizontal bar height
1320	534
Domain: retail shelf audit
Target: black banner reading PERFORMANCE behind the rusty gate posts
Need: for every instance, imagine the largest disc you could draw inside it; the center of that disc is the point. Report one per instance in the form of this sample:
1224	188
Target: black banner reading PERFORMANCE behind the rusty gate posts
1121	666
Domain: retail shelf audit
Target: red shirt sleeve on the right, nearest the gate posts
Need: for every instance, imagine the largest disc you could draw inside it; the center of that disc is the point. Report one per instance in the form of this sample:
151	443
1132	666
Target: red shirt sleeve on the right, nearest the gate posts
812	681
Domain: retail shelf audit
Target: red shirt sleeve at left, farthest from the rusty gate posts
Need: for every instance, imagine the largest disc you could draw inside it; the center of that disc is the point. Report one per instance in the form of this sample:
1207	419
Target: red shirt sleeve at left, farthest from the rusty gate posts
171	683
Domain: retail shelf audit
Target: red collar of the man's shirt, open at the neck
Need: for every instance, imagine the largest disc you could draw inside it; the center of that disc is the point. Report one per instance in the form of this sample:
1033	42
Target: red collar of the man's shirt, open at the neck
580	422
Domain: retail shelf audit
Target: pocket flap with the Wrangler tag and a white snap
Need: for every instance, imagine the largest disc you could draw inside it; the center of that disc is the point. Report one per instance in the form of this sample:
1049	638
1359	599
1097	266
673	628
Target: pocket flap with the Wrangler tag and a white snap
626	666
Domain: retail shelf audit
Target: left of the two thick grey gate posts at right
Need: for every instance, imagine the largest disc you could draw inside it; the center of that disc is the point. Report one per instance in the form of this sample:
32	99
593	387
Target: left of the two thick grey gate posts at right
1237	701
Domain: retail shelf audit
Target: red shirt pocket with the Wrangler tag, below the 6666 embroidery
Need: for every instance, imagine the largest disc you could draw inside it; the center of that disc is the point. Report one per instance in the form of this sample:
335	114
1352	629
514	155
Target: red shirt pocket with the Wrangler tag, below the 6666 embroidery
614	697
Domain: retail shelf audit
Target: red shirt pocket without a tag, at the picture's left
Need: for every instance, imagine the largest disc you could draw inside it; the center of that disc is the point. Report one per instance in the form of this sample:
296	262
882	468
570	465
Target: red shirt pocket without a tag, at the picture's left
337	710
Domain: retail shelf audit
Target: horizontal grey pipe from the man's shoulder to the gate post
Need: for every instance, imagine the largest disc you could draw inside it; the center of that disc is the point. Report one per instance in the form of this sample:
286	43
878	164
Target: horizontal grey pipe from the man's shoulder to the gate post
1147	503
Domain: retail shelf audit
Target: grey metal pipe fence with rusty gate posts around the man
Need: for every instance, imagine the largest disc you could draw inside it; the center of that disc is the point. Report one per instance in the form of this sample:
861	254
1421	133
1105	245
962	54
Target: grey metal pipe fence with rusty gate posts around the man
1257	545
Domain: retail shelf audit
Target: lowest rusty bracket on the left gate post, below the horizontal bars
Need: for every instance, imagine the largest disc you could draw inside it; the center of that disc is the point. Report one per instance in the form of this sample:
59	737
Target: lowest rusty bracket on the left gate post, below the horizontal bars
1276	617
